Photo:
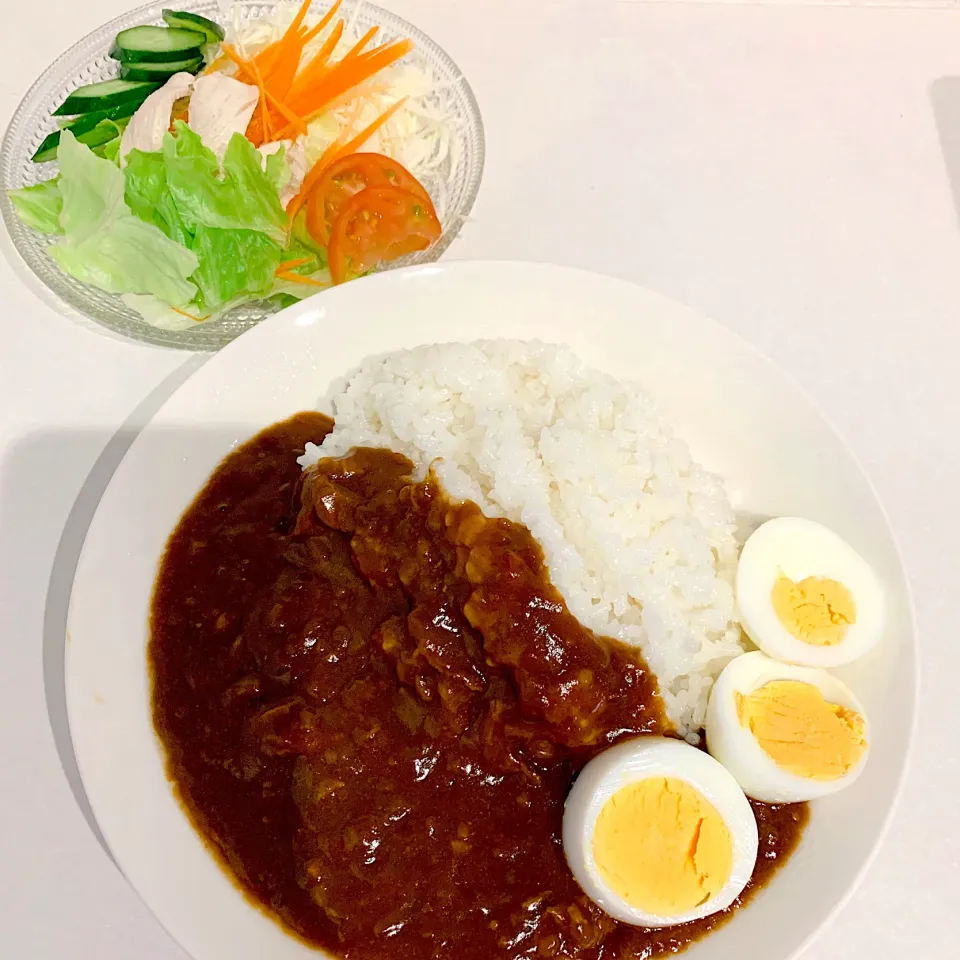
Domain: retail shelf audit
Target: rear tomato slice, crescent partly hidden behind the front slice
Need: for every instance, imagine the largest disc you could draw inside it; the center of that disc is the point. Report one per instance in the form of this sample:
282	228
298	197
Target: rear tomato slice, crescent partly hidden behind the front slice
348	176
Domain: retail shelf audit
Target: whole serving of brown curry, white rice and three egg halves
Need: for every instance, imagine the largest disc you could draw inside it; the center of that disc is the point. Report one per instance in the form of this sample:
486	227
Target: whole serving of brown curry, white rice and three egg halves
464	671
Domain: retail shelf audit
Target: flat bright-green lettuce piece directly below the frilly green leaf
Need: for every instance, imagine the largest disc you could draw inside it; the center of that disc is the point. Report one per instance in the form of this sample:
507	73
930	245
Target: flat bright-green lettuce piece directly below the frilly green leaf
233	263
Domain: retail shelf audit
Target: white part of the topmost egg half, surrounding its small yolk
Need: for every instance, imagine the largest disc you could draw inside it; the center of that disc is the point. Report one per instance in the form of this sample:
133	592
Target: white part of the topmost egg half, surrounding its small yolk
797	548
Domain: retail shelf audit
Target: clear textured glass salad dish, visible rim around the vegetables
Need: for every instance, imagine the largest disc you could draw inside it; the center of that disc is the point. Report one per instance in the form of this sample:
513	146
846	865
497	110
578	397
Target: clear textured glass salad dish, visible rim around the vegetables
88	61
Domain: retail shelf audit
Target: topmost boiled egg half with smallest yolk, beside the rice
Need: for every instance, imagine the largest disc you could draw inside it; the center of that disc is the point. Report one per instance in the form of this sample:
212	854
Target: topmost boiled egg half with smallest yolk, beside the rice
806	596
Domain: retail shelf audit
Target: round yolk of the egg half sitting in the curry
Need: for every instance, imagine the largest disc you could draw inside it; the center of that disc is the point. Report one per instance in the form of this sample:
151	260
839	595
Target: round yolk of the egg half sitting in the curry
661	846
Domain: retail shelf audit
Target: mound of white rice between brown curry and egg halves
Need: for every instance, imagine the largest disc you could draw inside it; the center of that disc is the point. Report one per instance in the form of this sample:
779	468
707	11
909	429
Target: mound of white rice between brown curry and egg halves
638	537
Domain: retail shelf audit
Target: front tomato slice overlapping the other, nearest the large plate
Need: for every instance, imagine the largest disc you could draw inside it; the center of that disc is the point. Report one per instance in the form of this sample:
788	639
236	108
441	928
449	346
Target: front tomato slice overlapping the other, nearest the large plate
379	224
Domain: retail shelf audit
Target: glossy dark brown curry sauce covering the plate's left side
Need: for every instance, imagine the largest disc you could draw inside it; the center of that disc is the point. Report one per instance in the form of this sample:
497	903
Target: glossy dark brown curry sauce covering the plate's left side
373	704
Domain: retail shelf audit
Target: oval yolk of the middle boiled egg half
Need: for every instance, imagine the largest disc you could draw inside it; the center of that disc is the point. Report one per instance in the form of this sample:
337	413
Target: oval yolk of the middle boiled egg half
802	732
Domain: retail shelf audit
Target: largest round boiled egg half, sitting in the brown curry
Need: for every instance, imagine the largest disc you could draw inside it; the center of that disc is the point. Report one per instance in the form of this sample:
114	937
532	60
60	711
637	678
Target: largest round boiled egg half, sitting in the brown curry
656	833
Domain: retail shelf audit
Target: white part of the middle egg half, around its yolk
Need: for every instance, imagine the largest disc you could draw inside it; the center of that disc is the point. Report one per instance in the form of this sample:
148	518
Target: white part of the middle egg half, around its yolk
738	750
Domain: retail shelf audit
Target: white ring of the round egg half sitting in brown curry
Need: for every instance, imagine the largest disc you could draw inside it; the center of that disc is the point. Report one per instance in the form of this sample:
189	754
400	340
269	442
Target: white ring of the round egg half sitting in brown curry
636	760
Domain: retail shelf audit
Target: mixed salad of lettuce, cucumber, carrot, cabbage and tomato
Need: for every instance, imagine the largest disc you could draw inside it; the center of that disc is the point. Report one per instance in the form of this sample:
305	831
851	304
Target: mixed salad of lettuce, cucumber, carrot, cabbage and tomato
259	159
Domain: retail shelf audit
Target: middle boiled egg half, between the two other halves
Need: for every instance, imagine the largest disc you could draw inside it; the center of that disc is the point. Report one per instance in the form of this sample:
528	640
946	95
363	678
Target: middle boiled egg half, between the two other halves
786	733
